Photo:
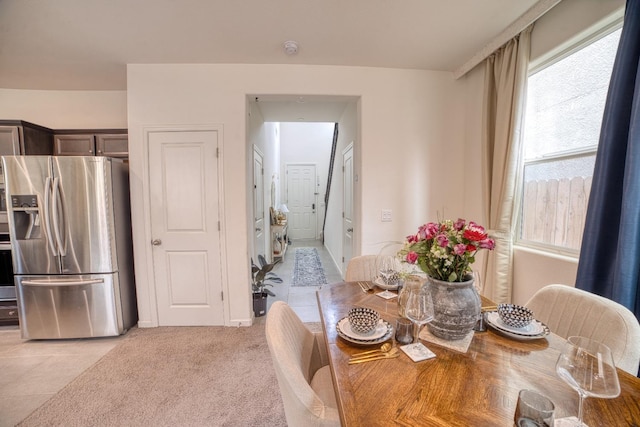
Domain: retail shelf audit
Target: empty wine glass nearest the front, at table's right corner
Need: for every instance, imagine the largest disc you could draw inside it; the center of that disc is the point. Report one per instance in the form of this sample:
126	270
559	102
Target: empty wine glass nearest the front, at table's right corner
587	366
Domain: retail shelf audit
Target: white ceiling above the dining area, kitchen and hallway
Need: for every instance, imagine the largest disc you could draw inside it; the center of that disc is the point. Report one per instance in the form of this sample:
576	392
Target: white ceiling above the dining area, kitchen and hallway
86	44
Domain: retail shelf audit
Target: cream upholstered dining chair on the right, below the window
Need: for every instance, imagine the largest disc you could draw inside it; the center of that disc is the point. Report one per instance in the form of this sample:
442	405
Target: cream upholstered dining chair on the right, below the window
569	311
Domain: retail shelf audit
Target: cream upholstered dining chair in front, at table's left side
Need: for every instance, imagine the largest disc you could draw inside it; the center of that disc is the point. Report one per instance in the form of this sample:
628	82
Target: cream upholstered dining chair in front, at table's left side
302	368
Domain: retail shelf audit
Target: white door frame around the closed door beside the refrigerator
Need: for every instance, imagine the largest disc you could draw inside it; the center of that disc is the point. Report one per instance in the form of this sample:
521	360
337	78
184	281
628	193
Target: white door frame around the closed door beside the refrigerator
151	304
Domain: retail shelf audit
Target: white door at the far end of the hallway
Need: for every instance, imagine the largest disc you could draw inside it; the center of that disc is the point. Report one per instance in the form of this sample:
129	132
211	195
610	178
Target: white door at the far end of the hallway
301	201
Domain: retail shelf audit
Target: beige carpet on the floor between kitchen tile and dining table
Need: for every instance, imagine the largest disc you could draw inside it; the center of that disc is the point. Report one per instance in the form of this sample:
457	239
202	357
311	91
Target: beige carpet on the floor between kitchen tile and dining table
173	376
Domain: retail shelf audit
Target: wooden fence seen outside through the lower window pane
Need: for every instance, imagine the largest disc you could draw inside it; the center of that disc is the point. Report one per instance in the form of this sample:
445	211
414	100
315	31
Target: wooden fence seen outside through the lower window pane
554	211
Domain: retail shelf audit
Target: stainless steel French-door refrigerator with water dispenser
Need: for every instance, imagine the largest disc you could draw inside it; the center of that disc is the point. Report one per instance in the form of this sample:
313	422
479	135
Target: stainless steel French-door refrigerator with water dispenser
70	231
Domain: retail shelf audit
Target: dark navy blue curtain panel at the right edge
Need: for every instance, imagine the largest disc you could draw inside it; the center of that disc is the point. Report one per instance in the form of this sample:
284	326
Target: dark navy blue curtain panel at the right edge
609	262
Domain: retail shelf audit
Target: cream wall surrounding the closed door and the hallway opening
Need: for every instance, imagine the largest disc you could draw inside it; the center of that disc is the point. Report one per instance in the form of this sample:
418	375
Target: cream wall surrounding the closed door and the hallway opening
410	119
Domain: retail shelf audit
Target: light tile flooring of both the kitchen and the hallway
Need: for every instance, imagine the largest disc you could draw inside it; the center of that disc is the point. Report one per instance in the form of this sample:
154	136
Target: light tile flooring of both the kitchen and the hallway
33	371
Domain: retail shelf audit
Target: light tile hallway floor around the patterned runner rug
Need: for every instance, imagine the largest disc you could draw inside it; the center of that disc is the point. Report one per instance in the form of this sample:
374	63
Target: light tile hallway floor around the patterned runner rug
302	298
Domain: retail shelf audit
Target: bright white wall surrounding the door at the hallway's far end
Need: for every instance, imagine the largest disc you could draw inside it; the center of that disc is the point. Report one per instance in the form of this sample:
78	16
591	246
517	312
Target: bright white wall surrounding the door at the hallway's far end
307	143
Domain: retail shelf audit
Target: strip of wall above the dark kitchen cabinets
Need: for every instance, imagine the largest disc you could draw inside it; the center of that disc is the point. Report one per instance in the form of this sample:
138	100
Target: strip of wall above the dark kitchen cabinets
57	109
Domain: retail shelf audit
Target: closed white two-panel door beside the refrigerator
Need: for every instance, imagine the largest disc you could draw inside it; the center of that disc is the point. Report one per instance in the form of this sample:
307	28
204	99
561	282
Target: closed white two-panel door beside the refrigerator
183	182
